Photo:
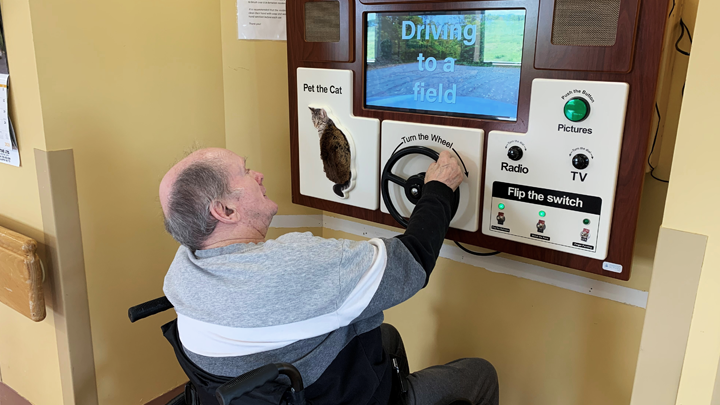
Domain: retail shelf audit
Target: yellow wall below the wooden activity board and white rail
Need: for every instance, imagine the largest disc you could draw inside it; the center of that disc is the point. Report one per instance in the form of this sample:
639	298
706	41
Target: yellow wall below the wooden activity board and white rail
550	346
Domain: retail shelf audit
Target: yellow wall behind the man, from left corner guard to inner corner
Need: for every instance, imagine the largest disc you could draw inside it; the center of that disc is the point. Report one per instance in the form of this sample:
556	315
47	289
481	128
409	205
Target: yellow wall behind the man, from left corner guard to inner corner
128	85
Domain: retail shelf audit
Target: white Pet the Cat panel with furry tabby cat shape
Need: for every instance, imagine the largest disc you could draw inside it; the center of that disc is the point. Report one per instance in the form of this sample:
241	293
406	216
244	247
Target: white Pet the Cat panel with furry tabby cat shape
324	164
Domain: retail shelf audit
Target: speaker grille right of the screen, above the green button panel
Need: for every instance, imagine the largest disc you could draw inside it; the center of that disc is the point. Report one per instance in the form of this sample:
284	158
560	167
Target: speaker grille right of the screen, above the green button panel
585	22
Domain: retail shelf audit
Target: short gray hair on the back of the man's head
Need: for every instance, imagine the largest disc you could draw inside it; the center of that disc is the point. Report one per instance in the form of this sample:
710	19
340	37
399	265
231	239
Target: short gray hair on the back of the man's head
188	218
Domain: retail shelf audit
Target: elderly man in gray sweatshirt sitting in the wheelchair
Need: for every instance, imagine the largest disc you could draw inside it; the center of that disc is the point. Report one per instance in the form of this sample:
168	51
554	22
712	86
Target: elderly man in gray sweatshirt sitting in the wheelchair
243	301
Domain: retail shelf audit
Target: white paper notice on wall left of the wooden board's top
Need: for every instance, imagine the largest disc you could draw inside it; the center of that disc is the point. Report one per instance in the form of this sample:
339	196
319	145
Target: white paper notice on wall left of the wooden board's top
262	19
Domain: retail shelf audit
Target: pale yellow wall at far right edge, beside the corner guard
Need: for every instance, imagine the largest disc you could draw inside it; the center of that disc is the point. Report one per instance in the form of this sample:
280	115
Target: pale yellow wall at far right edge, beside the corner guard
692	202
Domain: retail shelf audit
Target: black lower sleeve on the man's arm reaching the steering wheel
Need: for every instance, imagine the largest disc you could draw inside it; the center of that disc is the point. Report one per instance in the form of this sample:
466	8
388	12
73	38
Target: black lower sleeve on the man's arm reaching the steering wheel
428	225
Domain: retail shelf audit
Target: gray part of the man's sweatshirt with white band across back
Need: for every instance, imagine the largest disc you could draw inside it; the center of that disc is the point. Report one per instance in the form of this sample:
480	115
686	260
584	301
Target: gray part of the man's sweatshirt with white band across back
297	299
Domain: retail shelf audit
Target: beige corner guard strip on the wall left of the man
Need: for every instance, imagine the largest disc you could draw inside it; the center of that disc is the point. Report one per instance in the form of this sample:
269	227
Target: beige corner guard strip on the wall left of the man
66	271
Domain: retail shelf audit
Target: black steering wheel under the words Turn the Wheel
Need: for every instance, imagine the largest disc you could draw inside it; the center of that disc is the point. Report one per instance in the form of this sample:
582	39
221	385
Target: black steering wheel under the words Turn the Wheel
413	185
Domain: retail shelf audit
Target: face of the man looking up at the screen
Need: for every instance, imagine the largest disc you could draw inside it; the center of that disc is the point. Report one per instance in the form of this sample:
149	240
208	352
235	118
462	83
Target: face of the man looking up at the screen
248	191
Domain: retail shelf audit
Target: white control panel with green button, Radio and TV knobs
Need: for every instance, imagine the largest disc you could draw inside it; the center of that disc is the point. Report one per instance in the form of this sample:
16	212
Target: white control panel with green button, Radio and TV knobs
554	187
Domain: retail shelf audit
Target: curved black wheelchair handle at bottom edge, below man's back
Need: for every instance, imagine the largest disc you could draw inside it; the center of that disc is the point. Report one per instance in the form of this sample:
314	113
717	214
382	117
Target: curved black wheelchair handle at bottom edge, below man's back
247	382
